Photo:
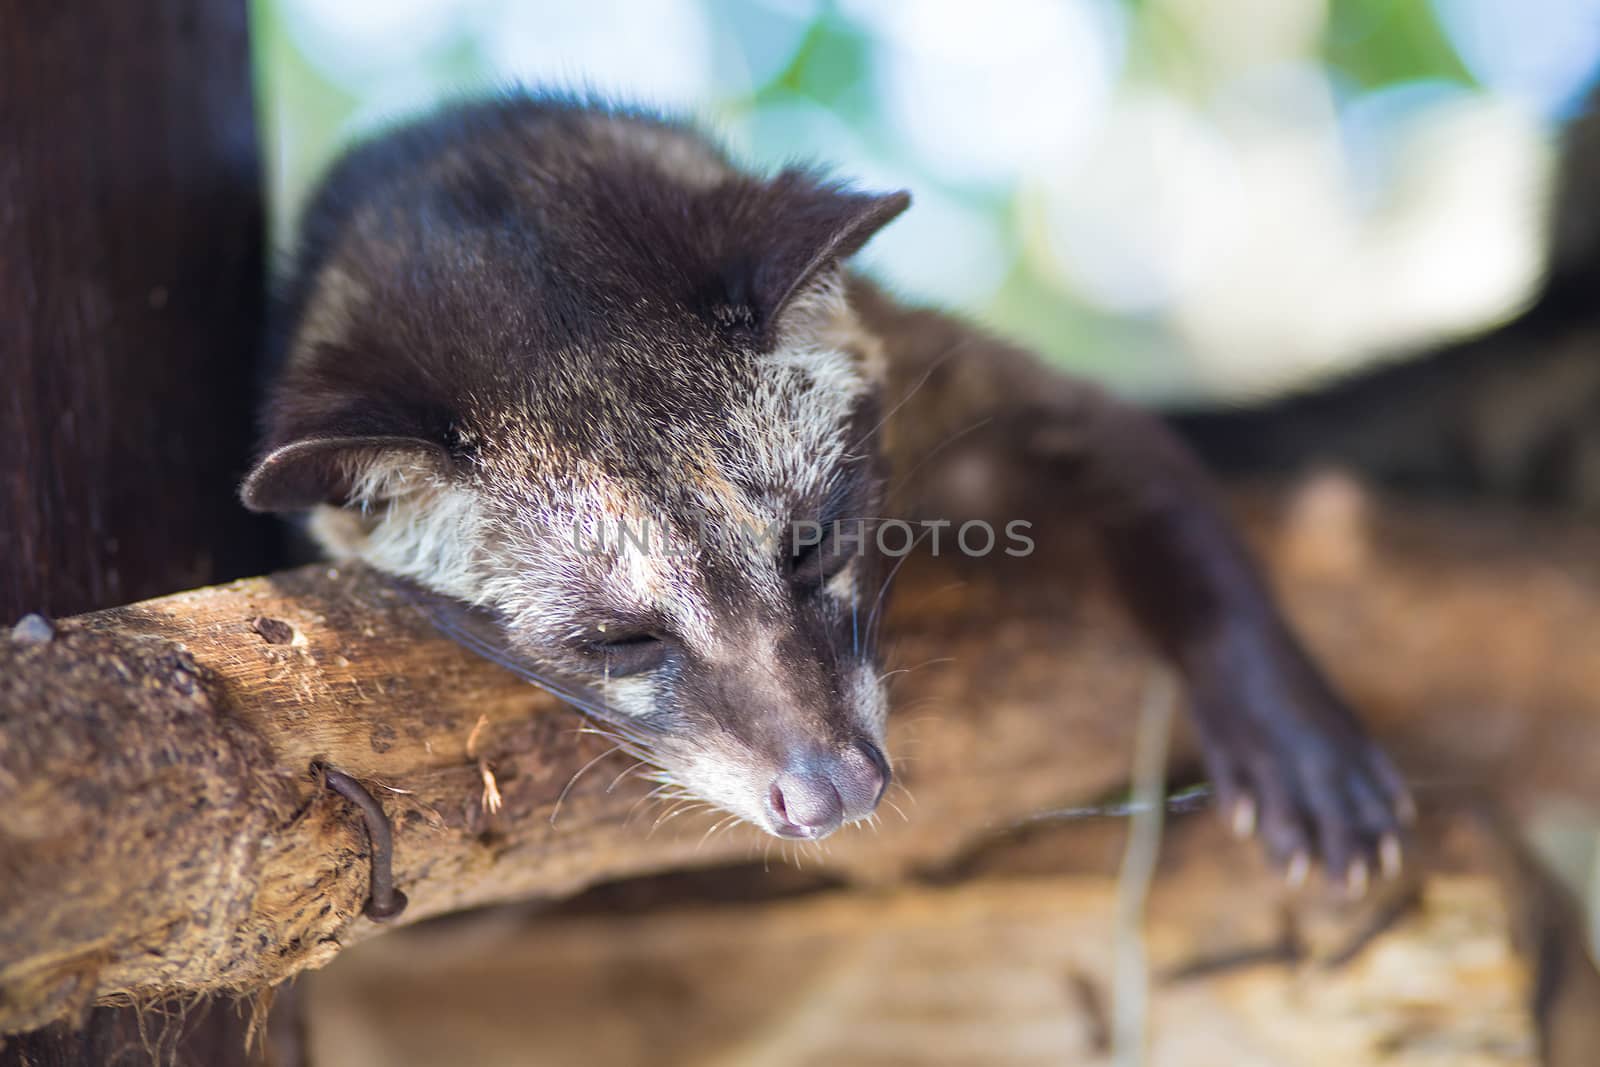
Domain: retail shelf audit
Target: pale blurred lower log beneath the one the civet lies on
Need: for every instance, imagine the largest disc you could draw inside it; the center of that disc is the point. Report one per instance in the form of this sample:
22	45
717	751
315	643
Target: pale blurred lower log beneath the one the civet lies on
1007	967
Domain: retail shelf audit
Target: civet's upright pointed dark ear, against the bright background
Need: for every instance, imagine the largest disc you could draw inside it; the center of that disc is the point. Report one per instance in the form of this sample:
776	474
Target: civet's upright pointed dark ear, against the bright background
807	228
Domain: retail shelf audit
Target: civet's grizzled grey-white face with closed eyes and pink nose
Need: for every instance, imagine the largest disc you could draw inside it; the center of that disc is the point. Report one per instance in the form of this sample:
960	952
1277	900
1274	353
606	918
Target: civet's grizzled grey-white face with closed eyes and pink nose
702	580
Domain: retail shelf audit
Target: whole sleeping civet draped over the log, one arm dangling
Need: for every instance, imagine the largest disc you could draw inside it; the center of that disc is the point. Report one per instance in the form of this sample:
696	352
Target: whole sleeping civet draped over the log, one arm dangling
527	321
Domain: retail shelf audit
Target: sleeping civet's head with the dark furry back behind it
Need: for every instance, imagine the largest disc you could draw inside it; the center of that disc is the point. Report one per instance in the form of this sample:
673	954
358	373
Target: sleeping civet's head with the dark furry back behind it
572	369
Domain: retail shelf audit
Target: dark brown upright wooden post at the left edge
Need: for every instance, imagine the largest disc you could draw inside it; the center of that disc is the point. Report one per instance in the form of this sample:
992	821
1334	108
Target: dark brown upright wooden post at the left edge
130	300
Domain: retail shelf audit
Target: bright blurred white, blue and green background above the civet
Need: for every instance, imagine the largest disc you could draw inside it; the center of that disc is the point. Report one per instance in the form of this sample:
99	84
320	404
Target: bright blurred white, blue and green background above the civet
1105	180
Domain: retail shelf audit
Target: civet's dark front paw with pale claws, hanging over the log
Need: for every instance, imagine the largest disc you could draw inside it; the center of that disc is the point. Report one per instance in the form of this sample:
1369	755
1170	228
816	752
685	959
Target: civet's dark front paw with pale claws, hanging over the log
1292	765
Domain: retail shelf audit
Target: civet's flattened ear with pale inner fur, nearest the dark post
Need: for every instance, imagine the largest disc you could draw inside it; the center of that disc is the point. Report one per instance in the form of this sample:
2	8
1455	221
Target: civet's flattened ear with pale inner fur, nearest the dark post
342	471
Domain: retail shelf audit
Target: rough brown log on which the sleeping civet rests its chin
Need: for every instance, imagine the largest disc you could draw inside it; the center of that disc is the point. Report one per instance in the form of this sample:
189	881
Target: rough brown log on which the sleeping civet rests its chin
162	831
